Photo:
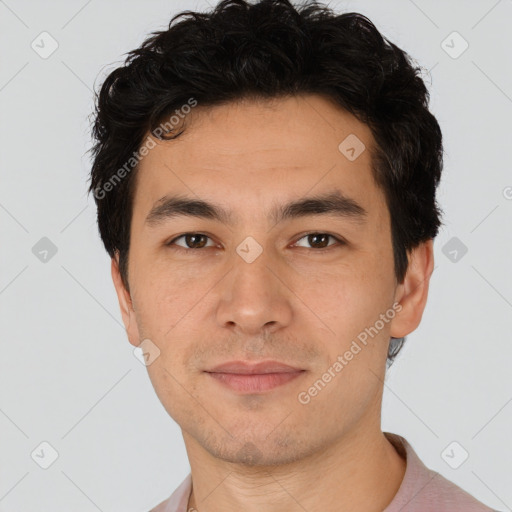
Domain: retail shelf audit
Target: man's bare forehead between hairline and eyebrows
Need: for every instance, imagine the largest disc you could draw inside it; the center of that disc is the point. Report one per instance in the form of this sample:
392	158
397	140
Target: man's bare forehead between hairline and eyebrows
254	152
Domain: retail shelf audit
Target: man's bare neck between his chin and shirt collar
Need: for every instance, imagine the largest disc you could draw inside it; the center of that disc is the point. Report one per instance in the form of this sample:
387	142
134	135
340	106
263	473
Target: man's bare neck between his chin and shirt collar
358	473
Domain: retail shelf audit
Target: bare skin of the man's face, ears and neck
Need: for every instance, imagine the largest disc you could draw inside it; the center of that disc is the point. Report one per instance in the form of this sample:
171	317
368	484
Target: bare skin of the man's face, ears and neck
296	303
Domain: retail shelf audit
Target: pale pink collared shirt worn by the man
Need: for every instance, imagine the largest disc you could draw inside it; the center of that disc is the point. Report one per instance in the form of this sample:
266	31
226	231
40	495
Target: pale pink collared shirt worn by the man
421	490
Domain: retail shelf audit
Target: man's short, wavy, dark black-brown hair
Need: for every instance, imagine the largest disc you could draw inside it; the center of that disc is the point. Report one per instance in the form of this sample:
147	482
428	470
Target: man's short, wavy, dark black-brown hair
272	49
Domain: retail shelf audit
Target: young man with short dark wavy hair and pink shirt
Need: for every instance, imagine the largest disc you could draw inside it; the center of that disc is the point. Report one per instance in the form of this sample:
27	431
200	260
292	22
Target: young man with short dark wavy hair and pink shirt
265	177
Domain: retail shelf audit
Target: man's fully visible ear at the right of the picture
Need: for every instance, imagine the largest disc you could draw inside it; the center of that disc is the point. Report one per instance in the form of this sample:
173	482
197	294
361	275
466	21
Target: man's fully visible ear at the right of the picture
412	293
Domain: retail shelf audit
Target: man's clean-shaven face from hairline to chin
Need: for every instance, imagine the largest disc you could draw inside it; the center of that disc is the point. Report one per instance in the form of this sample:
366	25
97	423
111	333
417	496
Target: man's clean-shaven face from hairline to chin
302	301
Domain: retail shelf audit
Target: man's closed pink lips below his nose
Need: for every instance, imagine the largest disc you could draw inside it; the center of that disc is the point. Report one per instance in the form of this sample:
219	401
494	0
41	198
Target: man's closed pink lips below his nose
245	377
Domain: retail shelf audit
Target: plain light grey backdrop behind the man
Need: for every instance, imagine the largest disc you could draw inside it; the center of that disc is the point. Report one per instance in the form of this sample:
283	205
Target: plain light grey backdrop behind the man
68	374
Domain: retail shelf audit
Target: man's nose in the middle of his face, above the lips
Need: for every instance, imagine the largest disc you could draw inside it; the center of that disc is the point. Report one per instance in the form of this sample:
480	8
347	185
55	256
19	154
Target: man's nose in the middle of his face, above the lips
254	297
